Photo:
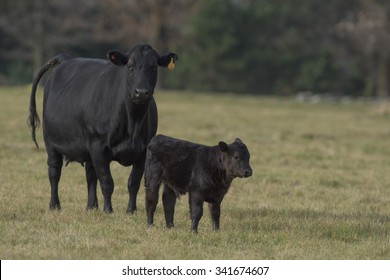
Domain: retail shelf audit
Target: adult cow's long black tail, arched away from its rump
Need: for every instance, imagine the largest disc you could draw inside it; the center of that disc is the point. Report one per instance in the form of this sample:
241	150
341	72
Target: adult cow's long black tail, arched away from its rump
33	120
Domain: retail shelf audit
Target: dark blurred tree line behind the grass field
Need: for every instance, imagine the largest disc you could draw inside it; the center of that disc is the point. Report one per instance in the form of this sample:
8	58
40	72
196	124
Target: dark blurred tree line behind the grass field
244	46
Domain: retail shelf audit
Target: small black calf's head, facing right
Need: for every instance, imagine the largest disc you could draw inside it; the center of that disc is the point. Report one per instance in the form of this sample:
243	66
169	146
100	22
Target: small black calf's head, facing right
235	159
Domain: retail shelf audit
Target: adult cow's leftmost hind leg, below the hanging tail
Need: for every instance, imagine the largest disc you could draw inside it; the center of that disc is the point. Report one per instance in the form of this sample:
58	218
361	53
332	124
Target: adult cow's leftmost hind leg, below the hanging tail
54	162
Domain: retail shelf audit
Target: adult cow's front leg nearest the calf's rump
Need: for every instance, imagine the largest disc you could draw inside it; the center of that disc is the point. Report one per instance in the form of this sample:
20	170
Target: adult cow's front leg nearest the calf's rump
134	183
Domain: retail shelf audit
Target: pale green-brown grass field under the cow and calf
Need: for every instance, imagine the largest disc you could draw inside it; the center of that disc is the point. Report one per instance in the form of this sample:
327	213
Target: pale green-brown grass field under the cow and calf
320	188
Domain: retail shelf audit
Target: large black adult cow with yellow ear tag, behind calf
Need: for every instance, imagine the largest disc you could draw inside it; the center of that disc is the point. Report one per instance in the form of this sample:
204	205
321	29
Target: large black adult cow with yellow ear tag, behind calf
97	111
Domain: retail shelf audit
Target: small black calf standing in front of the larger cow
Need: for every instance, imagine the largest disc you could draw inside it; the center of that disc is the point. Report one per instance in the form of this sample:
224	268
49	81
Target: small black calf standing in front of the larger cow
204	172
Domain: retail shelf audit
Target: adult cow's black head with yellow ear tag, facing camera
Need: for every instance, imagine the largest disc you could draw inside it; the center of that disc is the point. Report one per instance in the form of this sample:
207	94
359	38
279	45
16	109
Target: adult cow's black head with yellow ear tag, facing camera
141	64
